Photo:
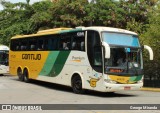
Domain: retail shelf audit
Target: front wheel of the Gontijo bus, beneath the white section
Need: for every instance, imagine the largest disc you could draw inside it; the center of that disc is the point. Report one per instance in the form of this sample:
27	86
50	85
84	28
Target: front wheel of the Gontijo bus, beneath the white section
77	85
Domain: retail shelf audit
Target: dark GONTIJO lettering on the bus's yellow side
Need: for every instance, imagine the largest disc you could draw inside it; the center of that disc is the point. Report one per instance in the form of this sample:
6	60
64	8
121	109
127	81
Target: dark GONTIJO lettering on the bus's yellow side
31	56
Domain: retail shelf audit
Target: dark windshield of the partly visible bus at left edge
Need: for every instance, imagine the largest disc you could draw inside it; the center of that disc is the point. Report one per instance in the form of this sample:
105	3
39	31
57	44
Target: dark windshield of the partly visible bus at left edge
4	57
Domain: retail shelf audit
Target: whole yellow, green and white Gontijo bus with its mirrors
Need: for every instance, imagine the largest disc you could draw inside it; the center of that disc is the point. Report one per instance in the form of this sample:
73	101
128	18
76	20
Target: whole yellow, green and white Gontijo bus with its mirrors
96	58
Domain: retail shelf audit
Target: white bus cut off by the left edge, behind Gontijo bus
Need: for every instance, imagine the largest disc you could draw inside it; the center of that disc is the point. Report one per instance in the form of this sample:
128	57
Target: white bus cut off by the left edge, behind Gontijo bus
4	54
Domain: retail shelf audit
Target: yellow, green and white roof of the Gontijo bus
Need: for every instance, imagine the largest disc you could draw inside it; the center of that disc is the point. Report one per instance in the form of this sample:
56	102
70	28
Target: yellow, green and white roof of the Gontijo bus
65	30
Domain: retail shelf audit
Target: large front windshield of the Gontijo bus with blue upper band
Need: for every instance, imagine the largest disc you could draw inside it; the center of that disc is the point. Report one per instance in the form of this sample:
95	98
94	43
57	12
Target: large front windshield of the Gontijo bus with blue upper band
126	56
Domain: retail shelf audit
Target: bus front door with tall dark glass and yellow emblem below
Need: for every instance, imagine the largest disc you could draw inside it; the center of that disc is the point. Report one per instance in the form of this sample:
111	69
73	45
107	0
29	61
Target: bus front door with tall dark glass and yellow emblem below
94	52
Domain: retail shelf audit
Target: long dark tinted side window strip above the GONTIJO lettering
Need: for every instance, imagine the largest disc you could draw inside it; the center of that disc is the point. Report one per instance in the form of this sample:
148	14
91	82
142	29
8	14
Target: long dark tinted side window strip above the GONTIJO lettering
65	41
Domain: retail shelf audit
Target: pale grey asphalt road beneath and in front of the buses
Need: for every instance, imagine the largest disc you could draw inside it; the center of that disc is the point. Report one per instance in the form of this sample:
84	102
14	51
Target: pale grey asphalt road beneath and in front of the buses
13	91
